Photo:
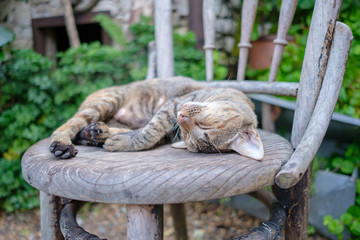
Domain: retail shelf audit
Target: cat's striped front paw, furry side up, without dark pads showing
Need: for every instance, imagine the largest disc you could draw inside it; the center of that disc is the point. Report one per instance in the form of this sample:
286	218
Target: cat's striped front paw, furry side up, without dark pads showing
121	142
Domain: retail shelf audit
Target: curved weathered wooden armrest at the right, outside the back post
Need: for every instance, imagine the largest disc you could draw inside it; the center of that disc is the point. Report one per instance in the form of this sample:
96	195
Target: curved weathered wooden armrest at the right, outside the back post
302	157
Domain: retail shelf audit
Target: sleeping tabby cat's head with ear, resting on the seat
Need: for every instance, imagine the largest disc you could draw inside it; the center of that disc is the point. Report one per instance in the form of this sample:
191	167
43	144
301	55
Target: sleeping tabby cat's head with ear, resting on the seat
220	126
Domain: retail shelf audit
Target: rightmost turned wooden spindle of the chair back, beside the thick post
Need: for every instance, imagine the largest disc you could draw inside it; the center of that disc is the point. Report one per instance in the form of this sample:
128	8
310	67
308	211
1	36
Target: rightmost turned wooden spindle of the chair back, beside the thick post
287	12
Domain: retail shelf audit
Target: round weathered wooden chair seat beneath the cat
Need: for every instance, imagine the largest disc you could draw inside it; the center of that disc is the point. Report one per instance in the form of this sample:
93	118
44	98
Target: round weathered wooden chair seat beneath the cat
158	176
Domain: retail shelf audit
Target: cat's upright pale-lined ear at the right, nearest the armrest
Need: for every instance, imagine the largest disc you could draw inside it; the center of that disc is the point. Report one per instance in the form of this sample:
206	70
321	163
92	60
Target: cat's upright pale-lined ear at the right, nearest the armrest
248	143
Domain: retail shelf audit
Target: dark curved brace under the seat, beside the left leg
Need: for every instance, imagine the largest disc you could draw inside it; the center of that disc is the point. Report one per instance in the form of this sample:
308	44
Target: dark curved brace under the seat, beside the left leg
68	225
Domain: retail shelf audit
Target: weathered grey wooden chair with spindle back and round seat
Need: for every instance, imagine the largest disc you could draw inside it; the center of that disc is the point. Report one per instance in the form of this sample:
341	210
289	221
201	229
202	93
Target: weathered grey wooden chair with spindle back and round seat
146	180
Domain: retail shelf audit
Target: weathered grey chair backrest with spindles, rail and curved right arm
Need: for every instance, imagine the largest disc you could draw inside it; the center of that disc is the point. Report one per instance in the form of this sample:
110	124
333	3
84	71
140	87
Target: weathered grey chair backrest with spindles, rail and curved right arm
321	76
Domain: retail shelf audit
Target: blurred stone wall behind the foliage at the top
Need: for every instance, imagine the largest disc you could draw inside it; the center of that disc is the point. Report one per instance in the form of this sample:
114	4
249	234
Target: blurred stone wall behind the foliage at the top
16	15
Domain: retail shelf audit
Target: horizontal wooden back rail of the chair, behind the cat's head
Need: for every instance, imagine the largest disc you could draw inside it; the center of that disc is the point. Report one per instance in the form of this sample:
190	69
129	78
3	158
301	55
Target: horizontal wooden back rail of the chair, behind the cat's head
276	88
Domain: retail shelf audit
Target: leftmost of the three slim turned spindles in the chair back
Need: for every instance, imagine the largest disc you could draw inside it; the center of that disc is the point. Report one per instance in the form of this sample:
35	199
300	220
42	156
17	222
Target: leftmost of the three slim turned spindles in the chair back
209	36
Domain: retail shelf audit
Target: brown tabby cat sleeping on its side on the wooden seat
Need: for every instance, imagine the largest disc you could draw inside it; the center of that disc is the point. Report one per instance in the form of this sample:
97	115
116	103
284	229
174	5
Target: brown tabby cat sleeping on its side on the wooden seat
139	115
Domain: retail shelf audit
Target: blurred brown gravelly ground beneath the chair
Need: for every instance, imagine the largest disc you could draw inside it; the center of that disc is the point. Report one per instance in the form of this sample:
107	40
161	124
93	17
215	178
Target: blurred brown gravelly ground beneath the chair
206	221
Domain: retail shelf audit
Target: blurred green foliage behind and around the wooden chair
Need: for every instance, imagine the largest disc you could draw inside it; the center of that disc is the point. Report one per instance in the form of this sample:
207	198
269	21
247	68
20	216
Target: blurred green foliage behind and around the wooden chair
38	94
